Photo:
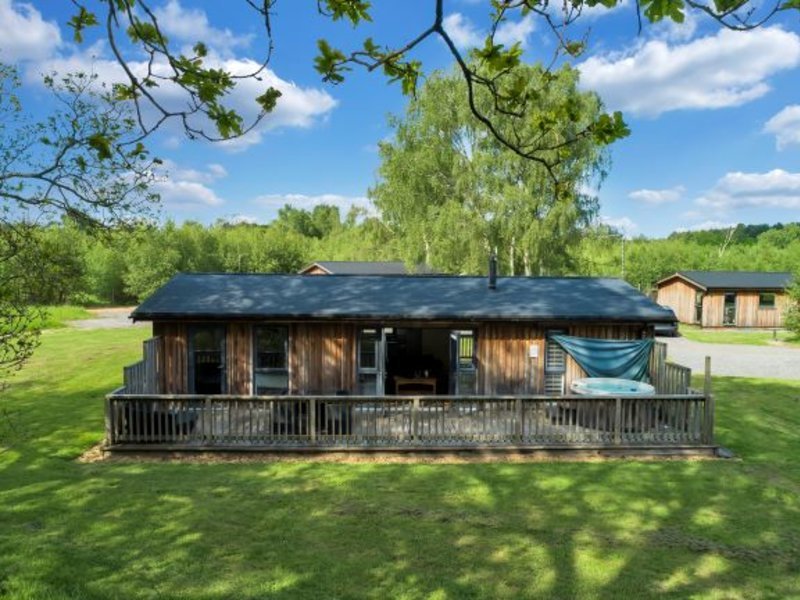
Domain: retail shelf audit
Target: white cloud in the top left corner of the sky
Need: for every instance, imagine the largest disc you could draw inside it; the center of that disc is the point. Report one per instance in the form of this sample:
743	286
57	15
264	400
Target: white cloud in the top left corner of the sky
24	35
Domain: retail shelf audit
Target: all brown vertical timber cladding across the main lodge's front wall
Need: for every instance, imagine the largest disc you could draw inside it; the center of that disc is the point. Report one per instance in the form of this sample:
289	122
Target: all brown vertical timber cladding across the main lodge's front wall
322	356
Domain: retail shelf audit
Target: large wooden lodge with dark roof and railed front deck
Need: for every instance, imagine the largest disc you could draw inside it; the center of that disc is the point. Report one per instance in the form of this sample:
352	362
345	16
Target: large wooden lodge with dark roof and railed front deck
254	362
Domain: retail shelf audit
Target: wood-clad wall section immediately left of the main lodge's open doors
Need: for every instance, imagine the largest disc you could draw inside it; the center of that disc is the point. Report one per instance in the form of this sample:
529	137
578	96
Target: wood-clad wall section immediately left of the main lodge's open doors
322	358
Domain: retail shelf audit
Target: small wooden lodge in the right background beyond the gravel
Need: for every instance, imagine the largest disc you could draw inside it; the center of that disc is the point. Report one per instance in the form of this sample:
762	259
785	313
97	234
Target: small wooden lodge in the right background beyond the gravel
726	298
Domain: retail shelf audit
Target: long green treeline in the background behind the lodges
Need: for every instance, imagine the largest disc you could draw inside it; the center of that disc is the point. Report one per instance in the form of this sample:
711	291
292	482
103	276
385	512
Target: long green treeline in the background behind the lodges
124	266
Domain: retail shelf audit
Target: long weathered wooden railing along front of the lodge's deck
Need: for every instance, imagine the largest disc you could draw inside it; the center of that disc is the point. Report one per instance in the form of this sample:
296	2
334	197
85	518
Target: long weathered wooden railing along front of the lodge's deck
424	422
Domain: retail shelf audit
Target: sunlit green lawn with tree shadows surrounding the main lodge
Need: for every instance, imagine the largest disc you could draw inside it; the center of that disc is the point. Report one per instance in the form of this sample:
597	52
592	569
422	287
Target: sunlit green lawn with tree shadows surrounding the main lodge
615	529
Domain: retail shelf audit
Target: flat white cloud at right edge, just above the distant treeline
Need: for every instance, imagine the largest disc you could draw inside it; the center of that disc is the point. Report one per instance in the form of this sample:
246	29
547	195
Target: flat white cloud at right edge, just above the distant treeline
776	189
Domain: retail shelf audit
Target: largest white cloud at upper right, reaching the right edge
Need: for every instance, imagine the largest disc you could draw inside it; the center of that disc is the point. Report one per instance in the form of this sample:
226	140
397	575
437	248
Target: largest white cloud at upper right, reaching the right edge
727	69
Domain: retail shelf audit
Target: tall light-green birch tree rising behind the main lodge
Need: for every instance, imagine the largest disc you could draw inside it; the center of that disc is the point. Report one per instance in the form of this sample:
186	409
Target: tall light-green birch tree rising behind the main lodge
450	194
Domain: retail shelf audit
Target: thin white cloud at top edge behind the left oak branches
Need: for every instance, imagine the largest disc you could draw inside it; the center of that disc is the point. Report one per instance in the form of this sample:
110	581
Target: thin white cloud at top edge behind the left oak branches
191	25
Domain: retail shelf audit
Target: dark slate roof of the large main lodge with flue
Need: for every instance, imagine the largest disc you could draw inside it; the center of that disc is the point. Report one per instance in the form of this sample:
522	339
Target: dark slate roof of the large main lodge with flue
421	297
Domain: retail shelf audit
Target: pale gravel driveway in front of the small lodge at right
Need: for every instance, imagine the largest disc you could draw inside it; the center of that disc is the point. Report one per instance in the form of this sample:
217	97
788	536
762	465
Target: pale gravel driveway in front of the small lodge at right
776	362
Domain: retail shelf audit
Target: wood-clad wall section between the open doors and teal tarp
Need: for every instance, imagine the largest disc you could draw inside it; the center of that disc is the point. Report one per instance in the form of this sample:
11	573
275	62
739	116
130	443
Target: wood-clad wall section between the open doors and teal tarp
504	363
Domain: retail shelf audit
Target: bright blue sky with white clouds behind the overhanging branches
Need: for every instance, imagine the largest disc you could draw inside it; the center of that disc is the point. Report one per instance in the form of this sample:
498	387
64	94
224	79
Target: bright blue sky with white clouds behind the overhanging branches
715	115
